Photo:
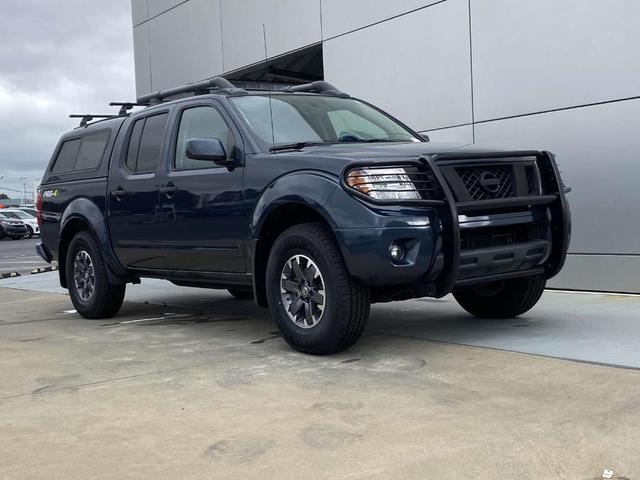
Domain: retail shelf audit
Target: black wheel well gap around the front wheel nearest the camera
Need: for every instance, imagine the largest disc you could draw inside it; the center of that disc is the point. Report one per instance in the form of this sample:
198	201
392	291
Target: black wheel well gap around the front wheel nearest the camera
277	222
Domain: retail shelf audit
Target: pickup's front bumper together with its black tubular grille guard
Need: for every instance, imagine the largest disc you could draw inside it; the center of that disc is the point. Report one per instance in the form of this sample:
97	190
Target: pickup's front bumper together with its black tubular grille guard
440	257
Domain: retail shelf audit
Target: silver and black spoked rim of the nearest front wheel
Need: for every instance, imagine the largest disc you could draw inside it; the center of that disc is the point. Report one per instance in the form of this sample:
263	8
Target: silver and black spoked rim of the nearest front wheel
303	292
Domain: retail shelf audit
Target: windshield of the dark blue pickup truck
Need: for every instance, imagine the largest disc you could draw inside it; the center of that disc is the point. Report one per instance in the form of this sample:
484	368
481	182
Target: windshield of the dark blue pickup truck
318	119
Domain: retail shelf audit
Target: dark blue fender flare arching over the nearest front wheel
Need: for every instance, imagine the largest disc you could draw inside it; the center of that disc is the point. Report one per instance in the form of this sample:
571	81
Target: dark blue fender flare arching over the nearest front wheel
312	189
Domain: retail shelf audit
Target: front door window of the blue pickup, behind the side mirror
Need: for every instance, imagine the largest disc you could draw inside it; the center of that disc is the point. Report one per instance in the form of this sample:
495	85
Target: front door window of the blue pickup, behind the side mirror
201	122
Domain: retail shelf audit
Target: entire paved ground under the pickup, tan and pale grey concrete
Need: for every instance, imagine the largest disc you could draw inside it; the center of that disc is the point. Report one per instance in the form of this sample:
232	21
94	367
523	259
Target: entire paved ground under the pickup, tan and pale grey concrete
195	384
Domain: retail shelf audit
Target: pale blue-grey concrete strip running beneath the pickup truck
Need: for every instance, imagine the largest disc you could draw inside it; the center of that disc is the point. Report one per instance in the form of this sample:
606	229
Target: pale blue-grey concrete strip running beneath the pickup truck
598	328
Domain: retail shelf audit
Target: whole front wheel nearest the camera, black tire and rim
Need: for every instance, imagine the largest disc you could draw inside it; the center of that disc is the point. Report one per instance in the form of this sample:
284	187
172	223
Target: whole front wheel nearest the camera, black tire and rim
318	306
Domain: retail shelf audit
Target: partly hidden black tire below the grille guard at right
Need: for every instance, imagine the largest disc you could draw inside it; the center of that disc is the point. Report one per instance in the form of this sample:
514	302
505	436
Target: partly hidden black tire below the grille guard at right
506	299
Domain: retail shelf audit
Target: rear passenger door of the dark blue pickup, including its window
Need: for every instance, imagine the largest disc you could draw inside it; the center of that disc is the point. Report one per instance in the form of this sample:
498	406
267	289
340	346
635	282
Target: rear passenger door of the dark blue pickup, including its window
134	195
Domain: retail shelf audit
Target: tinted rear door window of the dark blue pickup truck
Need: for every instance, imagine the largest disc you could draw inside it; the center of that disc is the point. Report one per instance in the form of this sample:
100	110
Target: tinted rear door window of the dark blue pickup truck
145	143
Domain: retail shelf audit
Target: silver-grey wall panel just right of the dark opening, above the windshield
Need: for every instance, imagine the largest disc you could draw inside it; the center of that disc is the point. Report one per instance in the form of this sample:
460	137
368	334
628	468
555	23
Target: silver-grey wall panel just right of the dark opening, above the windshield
416	66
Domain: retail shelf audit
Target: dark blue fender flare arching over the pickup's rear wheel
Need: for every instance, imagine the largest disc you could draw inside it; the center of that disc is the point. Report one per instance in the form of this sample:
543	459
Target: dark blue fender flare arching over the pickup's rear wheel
88	212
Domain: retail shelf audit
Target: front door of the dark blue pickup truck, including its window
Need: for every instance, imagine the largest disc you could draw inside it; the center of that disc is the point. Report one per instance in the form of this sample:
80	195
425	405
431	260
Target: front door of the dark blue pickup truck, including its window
202	215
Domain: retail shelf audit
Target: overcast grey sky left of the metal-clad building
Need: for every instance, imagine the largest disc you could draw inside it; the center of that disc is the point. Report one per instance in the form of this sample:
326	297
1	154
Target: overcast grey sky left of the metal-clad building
56	58
